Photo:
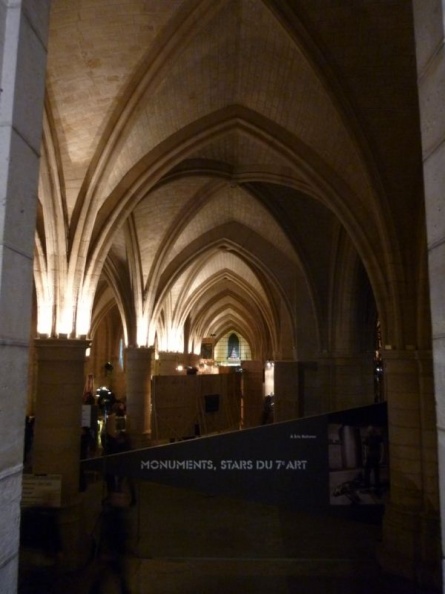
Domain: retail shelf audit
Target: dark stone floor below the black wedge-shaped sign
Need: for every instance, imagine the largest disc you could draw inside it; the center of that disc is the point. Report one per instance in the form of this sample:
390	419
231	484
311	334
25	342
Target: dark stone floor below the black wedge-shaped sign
174	541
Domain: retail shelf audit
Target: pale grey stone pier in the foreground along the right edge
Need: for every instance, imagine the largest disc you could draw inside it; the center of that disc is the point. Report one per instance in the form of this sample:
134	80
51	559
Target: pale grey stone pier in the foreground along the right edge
430	54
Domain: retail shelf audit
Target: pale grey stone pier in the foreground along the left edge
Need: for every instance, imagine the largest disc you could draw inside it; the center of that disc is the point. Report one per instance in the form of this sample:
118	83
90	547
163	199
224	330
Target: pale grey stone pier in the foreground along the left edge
23	37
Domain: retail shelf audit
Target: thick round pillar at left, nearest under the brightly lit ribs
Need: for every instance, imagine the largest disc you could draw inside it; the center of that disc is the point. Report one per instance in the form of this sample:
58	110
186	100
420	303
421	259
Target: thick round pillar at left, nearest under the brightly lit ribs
56	448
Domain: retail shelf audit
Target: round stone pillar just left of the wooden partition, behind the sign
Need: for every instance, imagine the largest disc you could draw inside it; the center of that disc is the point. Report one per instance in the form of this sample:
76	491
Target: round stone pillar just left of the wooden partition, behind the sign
139	371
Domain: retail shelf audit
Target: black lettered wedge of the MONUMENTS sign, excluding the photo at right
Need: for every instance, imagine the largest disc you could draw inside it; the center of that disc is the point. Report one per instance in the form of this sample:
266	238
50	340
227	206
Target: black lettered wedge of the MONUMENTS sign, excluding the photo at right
281	463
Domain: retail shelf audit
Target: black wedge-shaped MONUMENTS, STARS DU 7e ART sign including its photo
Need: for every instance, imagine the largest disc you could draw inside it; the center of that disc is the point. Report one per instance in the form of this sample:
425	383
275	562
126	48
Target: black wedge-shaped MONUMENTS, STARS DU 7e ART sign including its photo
307	464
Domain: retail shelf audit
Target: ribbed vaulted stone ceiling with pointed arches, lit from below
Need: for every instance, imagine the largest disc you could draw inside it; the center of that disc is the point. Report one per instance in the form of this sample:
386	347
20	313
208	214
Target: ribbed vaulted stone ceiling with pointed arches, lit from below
219	165
